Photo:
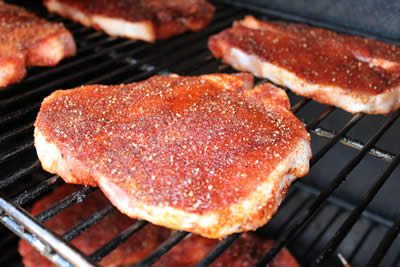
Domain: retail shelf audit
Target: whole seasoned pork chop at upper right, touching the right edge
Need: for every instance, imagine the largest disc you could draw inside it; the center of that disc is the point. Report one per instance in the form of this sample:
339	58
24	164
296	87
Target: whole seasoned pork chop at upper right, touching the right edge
353	73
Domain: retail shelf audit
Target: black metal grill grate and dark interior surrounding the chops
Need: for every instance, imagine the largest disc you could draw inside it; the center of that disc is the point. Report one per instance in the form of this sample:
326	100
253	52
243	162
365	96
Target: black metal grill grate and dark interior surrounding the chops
346	205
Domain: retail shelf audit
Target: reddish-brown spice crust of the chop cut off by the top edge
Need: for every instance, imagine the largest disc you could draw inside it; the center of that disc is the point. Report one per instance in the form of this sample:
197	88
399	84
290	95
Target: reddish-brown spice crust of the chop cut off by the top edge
168	17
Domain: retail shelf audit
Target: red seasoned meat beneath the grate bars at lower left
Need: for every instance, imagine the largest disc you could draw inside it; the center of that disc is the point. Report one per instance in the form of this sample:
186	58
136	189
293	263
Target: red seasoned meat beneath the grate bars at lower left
133	250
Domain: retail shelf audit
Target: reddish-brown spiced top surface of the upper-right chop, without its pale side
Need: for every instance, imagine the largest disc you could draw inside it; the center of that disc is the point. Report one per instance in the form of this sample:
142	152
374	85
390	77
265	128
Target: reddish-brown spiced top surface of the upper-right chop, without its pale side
317	55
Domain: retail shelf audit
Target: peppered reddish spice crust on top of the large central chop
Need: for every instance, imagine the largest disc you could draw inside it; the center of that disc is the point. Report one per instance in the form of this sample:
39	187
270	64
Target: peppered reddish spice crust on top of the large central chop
185	142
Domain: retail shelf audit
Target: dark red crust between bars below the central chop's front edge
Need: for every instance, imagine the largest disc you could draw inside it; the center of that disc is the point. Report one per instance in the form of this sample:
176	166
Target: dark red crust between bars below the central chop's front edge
245	252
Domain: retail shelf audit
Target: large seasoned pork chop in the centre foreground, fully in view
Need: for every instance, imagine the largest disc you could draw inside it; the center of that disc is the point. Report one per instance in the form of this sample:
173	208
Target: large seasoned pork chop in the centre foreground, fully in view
204	154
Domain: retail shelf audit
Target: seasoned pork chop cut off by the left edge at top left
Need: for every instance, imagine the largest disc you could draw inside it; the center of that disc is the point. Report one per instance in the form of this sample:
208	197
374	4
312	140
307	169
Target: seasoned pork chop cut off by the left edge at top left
26	39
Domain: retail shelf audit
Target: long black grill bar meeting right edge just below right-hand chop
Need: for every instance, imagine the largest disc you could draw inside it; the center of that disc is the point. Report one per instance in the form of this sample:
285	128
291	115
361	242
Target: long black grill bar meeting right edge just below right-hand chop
307	215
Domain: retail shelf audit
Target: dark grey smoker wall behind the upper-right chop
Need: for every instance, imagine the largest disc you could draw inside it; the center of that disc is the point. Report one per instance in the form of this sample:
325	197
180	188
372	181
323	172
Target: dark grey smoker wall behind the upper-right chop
379	18
